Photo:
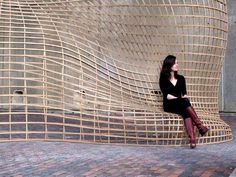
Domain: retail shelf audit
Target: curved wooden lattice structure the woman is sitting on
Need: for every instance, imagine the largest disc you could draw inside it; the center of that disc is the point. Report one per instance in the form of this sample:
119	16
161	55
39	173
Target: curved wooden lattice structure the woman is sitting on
87	70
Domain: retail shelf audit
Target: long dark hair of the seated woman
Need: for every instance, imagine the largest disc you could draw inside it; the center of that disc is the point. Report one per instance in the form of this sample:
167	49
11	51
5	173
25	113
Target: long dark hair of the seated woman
166	67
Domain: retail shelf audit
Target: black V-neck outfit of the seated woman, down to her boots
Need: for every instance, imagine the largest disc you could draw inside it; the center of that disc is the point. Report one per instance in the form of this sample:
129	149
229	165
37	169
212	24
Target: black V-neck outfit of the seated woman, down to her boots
180	104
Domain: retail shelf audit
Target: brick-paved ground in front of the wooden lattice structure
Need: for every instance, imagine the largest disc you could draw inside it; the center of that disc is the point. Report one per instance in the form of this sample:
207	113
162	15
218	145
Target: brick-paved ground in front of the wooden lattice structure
78	159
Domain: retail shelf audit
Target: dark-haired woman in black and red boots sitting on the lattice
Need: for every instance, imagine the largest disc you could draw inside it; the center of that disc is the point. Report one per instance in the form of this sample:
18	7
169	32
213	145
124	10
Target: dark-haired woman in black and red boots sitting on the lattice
175	98
